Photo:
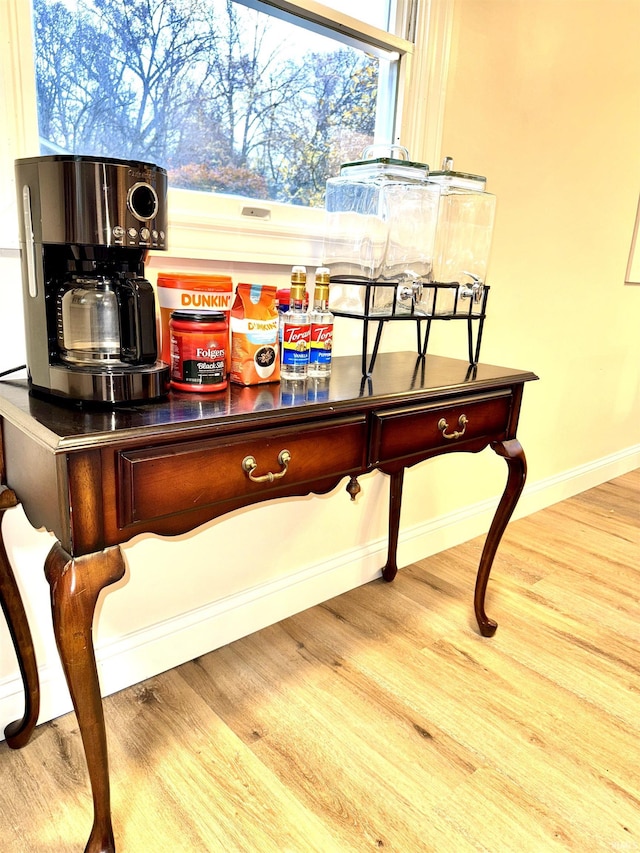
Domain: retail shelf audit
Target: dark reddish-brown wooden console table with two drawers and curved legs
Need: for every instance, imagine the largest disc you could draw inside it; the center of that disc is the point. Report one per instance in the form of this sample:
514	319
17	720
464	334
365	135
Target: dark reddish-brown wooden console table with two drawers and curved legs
96	479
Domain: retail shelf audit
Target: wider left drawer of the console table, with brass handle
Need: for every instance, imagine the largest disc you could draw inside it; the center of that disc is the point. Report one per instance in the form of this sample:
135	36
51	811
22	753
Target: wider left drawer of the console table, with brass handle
161	481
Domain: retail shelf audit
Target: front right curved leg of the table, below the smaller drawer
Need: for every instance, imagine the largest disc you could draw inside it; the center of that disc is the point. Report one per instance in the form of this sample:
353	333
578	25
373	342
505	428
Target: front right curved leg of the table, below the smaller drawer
512	451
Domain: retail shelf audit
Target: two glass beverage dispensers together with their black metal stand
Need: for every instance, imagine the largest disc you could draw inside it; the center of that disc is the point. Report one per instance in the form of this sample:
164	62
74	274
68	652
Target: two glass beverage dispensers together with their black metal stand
403	244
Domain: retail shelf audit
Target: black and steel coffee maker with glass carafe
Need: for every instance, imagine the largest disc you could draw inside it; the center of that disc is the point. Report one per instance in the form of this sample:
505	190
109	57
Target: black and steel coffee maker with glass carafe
86	225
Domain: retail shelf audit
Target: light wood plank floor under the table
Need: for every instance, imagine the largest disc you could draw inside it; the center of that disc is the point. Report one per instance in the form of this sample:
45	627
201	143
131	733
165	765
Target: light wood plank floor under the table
381	720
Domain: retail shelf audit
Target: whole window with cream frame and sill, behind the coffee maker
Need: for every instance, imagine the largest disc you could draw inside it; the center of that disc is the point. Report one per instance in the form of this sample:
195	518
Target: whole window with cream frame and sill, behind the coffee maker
258	99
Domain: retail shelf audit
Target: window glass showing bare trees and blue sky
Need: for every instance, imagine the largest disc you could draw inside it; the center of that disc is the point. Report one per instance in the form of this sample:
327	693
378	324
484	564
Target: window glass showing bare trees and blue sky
227	98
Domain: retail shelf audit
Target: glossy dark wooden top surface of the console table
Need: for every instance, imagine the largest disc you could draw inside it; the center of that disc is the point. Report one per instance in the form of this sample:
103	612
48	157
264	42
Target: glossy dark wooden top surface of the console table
400	376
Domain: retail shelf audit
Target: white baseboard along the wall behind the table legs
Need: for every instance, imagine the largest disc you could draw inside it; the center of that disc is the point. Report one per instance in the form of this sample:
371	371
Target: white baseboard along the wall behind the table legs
157	648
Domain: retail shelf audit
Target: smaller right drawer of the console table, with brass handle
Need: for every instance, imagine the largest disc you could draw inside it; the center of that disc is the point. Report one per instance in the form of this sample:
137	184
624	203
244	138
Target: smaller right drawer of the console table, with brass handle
428	430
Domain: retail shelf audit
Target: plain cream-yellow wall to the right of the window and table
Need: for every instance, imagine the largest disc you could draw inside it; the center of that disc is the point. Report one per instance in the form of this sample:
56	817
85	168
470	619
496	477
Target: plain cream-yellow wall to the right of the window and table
543	97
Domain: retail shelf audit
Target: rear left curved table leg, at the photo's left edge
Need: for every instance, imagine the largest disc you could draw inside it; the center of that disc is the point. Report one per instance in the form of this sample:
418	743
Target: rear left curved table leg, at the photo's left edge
18	732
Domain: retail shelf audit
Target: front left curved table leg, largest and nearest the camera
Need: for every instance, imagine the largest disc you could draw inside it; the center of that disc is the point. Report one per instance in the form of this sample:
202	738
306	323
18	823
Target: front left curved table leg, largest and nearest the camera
75	585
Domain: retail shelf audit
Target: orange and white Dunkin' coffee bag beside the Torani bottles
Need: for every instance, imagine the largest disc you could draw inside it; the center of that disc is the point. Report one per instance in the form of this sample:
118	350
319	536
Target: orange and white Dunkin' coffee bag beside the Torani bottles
254	335
